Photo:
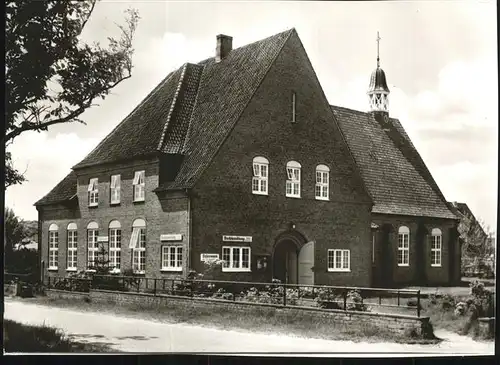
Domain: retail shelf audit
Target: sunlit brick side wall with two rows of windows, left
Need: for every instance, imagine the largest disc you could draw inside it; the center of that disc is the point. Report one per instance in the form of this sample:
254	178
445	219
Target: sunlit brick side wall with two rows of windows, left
163	214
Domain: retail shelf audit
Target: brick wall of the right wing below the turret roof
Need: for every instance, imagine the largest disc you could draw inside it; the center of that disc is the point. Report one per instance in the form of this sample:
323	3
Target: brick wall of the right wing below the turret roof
406	275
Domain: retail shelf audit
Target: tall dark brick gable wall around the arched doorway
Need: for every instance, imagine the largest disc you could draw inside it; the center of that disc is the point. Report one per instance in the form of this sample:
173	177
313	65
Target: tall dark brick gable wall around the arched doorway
223	203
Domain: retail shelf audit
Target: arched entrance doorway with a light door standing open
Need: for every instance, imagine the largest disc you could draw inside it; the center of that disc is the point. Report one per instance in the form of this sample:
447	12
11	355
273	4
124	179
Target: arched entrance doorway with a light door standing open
293	259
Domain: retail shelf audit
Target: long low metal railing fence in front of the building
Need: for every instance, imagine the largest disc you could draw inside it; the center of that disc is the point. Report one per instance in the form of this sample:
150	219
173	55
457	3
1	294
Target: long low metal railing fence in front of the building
402	301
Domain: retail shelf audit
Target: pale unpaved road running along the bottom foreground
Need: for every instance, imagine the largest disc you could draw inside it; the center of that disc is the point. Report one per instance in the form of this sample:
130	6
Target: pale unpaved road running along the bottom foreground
137	335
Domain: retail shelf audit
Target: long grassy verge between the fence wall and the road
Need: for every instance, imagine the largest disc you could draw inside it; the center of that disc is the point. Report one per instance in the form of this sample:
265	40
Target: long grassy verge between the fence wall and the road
254	319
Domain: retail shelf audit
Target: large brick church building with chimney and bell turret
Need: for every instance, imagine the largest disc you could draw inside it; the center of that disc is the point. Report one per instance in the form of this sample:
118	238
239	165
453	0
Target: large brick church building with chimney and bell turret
241	157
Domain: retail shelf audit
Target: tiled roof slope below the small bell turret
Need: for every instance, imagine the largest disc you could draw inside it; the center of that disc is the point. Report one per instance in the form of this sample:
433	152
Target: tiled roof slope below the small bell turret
394	173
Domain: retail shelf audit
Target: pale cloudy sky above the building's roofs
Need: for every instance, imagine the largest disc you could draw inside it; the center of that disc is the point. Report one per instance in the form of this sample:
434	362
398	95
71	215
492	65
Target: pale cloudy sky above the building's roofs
440	59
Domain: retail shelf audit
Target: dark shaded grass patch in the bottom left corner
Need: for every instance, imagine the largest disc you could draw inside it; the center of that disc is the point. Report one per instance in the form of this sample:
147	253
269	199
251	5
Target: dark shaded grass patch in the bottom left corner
26	338
